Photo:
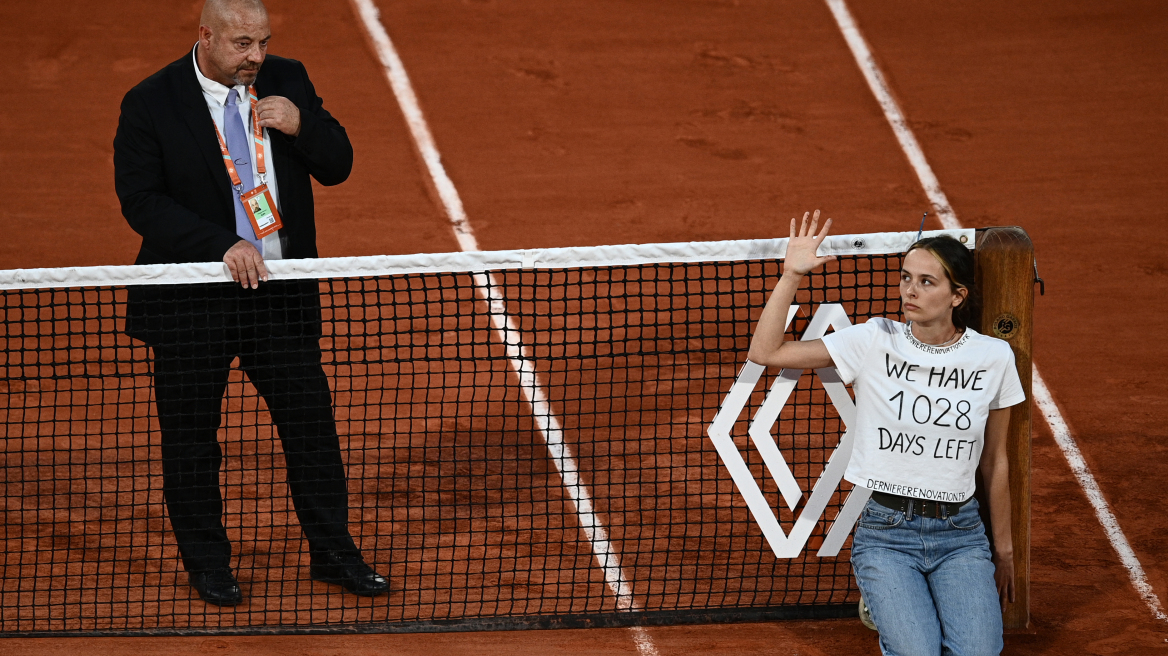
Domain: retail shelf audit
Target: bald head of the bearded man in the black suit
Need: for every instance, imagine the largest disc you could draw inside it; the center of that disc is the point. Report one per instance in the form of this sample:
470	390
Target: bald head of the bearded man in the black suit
233	40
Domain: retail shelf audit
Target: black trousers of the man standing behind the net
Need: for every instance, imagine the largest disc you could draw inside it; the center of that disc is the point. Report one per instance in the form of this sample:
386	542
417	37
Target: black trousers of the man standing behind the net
189	388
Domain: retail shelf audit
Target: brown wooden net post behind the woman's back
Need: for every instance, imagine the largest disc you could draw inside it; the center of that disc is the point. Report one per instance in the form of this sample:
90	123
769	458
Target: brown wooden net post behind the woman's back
1006	283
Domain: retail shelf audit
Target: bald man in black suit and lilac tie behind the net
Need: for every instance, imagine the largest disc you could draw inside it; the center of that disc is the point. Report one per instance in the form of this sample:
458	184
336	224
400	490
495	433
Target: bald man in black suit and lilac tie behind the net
171	175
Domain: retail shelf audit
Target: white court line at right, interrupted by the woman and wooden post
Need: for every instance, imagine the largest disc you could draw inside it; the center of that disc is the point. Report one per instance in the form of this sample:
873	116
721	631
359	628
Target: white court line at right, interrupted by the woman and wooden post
1044	399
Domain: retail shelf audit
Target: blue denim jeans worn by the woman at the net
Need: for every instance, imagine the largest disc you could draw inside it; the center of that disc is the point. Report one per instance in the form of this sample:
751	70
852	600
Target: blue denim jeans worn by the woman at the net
929	583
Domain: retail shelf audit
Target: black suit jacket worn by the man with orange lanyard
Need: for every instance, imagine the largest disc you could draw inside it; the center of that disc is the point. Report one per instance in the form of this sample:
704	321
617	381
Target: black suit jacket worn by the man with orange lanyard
176	193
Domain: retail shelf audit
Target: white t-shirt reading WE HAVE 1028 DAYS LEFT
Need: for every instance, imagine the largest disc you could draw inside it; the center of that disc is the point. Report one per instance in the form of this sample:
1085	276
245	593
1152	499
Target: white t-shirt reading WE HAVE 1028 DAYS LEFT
921	410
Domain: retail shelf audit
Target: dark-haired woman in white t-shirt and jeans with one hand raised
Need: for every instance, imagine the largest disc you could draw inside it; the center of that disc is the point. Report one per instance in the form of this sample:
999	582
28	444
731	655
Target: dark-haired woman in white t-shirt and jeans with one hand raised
933	407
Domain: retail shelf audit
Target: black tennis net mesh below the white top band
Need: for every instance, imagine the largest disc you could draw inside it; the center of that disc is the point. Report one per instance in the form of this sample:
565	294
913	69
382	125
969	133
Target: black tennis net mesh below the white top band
455	493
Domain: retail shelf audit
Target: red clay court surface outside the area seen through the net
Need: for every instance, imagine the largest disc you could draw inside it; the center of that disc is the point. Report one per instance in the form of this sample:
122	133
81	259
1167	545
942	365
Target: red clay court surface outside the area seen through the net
614	123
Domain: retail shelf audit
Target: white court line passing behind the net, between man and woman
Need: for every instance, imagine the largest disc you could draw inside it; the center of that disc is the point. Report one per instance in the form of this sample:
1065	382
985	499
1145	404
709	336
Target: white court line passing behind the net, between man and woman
507	330
